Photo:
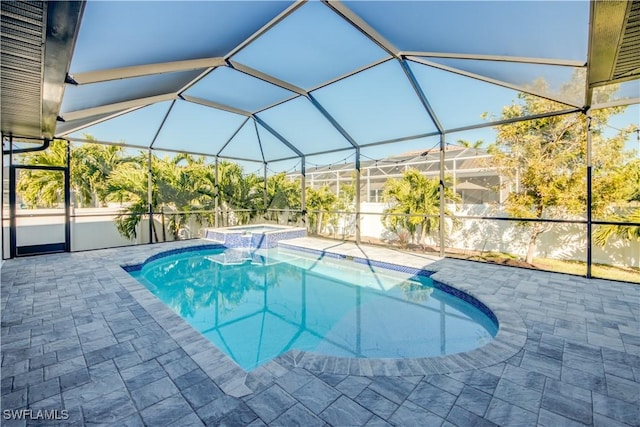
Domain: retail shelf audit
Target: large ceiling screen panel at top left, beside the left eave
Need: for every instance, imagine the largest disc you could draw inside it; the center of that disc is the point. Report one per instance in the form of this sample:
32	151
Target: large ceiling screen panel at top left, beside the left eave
123	34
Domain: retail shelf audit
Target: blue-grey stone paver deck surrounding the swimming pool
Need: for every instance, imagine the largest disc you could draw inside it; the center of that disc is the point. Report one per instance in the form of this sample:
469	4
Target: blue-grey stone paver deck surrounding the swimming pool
80	334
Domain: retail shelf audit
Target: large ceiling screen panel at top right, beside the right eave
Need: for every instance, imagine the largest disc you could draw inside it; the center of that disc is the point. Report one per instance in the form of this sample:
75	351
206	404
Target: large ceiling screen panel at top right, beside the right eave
554	30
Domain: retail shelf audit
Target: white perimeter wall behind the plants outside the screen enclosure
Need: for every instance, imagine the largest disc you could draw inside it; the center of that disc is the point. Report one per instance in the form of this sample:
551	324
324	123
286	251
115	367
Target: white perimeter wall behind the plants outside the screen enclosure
563	241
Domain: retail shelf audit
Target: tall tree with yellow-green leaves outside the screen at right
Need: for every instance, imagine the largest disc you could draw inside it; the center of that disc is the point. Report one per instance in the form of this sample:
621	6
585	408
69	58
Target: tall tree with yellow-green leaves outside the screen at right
544	162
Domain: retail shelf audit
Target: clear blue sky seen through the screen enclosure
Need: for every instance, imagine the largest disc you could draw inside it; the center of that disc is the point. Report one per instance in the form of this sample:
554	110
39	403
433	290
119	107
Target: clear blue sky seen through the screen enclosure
314	45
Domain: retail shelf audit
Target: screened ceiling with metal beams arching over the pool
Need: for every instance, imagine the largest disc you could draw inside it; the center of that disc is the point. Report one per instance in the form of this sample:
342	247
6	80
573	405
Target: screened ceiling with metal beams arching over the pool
267	81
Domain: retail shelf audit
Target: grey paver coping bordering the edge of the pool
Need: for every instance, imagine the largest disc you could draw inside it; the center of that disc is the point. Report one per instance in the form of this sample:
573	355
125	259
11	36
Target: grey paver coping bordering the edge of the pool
235	381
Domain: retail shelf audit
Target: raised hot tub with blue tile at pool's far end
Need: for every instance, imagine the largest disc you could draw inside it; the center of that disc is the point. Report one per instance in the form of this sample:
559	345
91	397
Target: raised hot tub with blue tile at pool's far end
259	236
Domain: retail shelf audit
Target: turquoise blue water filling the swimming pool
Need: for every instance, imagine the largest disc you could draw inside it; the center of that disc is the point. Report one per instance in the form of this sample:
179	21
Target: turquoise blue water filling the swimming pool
256	305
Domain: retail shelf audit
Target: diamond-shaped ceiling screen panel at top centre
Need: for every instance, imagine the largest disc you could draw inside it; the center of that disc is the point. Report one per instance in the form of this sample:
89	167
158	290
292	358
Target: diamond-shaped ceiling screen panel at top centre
310	47
